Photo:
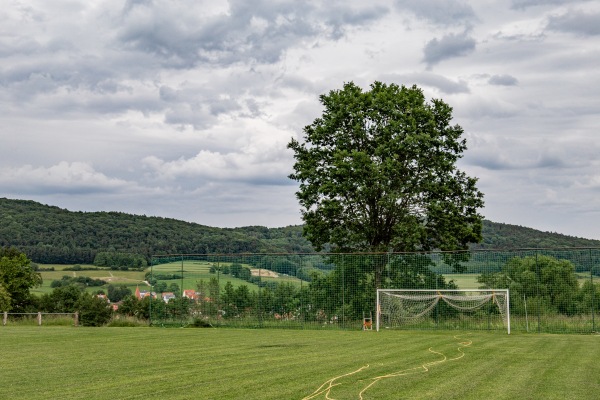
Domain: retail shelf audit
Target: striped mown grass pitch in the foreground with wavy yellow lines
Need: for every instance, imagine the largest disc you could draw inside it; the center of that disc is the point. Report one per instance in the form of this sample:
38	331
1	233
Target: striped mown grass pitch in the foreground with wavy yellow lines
131	363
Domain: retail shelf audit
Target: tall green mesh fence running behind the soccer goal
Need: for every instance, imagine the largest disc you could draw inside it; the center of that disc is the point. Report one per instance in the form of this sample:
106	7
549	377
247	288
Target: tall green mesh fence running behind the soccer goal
554	291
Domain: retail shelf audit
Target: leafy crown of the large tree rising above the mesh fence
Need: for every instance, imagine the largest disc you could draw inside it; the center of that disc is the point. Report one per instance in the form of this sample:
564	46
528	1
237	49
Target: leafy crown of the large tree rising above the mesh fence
377	173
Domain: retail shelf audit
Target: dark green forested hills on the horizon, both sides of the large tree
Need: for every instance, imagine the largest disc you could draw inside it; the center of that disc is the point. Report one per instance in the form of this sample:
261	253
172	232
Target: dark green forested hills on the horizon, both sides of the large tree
51	235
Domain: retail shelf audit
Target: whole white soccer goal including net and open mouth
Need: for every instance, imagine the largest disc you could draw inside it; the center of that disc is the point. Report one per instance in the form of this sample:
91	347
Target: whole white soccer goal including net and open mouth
456	309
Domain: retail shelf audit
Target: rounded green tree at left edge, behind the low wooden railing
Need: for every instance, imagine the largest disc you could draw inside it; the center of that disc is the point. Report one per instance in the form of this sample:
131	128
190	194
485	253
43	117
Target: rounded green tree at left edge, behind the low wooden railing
17	276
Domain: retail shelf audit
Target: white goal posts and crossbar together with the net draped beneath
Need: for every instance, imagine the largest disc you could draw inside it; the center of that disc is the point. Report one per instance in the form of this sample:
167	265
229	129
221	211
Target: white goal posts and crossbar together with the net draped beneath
405	305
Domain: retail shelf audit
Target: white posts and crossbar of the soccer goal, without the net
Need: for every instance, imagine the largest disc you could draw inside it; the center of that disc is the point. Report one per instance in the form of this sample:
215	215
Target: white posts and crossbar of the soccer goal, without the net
440	294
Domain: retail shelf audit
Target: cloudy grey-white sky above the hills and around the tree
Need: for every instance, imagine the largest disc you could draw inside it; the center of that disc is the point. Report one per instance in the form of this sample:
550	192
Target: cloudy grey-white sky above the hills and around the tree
183	108
